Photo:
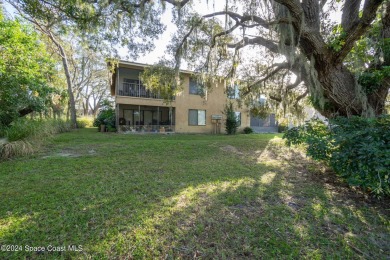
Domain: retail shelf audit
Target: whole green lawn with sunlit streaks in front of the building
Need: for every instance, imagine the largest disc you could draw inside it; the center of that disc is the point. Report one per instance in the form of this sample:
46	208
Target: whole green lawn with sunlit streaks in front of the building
183	196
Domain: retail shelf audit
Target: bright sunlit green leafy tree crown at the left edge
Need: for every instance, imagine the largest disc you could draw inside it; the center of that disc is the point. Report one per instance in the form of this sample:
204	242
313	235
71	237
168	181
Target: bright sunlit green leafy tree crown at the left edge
25	70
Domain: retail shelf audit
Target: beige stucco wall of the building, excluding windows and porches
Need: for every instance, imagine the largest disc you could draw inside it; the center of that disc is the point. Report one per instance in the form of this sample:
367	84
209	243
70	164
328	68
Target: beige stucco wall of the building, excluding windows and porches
213	103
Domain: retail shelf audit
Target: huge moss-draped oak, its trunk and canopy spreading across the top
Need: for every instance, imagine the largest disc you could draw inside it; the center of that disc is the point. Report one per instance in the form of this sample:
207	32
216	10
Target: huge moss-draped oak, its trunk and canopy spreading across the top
282	38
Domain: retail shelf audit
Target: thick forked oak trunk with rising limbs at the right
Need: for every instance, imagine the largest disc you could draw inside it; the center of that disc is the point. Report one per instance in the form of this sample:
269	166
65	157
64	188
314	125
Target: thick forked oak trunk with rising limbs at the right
333	88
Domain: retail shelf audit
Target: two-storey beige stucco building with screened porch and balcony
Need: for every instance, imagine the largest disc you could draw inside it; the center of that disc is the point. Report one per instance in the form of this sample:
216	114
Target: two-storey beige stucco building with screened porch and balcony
140	110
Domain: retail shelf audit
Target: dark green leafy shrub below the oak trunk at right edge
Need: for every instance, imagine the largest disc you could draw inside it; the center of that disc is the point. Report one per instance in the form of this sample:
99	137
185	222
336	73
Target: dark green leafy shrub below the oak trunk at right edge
356	148
